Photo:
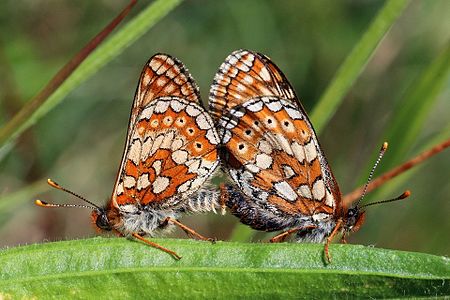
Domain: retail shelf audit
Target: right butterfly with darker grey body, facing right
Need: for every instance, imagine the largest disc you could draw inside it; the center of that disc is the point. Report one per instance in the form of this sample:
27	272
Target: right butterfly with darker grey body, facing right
282	180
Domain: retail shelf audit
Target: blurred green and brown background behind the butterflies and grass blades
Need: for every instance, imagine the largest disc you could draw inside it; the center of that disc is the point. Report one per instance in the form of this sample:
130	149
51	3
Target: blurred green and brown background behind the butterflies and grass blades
79	144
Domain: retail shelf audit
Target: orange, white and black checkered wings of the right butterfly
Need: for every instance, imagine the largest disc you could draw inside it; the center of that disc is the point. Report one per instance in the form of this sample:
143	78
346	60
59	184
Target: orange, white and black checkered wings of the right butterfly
271	150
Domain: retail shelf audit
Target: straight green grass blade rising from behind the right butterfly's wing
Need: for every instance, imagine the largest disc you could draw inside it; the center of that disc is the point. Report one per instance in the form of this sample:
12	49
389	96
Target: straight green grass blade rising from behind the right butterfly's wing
355	62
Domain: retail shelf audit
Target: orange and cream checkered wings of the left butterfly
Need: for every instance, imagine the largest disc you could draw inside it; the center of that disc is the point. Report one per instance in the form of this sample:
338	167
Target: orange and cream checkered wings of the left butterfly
171	142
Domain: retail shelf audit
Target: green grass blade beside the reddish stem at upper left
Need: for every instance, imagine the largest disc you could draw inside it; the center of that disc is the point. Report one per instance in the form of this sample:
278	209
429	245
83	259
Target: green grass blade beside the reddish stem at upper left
111	48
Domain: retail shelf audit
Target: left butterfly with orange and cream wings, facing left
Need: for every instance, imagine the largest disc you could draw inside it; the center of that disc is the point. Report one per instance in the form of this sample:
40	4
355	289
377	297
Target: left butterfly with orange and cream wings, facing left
169	155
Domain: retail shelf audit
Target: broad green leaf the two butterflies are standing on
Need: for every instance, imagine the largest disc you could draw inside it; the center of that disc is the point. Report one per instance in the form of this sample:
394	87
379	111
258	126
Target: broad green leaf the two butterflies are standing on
120	268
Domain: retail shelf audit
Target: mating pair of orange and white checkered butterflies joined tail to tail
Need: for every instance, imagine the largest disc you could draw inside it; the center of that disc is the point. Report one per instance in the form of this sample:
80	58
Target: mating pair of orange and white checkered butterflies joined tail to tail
260	131
